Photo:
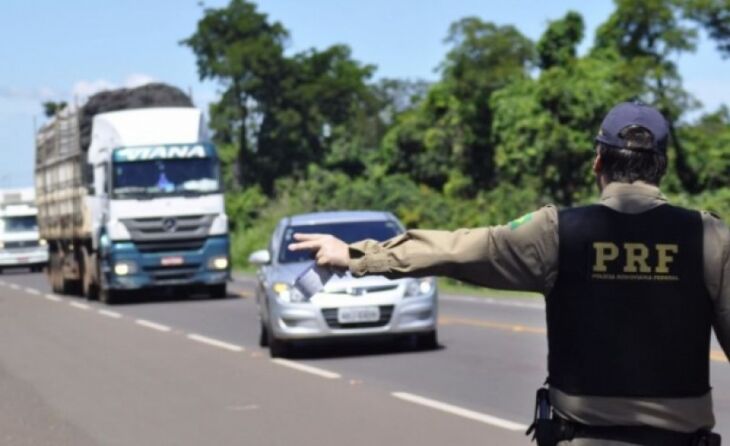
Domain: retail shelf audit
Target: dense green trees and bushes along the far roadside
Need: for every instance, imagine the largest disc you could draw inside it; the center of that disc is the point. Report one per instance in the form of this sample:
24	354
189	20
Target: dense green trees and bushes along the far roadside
508	126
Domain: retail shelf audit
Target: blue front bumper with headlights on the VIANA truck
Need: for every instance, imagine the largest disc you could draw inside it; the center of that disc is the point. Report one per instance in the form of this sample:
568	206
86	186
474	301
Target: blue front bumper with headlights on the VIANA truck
168	268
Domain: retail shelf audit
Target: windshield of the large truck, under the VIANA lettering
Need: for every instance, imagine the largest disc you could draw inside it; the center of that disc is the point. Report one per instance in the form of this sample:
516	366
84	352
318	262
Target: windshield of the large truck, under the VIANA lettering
165	177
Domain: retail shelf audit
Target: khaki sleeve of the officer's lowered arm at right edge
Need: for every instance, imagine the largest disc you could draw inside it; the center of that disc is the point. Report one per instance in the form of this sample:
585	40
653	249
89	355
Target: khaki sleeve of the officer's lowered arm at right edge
717	275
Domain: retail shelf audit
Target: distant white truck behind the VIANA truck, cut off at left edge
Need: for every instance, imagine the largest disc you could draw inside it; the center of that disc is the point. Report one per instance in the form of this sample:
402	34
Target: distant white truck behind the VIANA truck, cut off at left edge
20	244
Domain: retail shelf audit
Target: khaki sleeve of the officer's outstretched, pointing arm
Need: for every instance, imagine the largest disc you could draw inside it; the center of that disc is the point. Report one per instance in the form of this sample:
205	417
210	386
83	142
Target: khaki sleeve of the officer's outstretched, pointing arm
522	255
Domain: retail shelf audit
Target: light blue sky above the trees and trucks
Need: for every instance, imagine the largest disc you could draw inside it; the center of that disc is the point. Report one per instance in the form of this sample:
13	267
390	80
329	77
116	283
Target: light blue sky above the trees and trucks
67	50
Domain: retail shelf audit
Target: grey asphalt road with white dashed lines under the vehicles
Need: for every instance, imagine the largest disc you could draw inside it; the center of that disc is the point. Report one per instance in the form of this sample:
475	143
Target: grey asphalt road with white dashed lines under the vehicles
166	371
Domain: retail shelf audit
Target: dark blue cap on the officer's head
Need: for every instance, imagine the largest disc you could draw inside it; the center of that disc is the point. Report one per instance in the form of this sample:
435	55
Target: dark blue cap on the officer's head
631	115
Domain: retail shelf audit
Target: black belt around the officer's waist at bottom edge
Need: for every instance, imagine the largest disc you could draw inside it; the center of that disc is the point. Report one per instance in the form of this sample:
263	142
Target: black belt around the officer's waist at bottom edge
643	435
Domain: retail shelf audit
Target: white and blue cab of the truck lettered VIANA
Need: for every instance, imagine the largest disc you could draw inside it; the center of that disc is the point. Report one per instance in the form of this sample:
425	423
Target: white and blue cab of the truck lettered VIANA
156	211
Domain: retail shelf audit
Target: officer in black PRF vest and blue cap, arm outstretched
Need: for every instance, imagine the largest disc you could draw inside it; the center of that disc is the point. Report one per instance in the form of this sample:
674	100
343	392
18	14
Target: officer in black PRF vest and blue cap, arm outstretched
632	285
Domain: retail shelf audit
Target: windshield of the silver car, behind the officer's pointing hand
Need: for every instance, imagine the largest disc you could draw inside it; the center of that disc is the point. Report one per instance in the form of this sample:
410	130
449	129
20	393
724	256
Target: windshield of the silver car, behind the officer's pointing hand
349	232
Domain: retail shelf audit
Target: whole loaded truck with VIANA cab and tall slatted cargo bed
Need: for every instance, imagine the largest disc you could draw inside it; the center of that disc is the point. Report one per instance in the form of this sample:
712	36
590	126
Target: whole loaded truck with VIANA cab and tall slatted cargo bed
133	201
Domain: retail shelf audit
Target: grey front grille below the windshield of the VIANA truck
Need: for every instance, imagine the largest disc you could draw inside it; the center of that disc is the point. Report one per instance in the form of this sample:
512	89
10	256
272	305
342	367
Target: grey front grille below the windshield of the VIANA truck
169	228
